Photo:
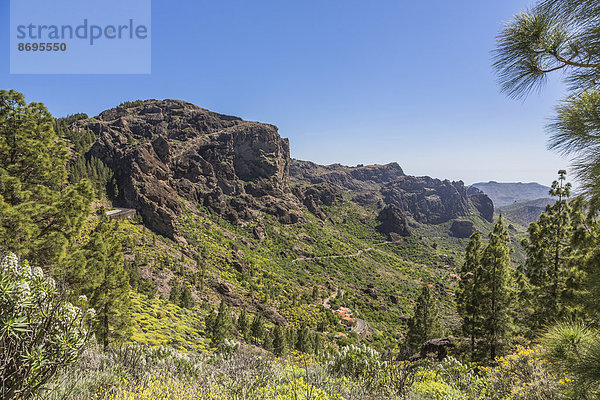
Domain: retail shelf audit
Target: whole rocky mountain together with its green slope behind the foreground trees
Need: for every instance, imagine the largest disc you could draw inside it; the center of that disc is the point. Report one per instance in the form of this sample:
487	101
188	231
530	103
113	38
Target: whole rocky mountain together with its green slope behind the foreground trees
231	216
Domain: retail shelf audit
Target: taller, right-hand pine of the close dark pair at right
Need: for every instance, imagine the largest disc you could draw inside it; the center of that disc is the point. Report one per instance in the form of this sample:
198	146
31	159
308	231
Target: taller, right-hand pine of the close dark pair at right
495	286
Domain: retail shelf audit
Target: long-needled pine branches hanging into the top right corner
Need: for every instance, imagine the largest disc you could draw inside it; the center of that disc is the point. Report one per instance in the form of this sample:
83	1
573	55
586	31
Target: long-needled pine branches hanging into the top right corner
559	37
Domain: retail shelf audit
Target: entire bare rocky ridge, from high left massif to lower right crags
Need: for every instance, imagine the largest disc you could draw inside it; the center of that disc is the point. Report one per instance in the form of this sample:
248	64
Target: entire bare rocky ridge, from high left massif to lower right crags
168	155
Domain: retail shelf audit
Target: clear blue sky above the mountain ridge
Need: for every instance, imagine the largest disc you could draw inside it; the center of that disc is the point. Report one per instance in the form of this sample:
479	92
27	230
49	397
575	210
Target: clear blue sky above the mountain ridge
346	81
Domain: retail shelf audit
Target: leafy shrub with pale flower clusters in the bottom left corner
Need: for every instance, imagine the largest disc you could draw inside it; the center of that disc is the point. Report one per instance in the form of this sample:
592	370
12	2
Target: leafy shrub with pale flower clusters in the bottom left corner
39	331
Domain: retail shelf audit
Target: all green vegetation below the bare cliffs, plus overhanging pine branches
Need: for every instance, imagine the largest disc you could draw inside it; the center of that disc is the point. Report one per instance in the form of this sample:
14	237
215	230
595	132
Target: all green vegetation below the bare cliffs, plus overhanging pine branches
95	307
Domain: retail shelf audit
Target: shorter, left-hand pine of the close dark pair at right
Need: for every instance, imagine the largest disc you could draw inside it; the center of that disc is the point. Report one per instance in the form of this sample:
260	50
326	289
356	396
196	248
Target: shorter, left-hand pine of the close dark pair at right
469	294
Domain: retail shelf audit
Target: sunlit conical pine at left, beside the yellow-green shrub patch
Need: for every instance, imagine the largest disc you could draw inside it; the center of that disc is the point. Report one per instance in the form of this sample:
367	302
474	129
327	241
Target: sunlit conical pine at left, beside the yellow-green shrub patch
107	283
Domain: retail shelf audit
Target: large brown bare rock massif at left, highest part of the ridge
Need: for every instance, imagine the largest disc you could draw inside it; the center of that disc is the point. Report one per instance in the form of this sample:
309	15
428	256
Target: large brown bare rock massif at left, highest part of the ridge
165	151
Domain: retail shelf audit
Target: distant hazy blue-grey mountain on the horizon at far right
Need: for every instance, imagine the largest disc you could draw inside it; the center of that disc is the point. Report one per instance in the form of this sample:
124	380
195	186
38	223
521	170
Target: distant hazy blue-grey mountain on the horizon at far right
504	193
